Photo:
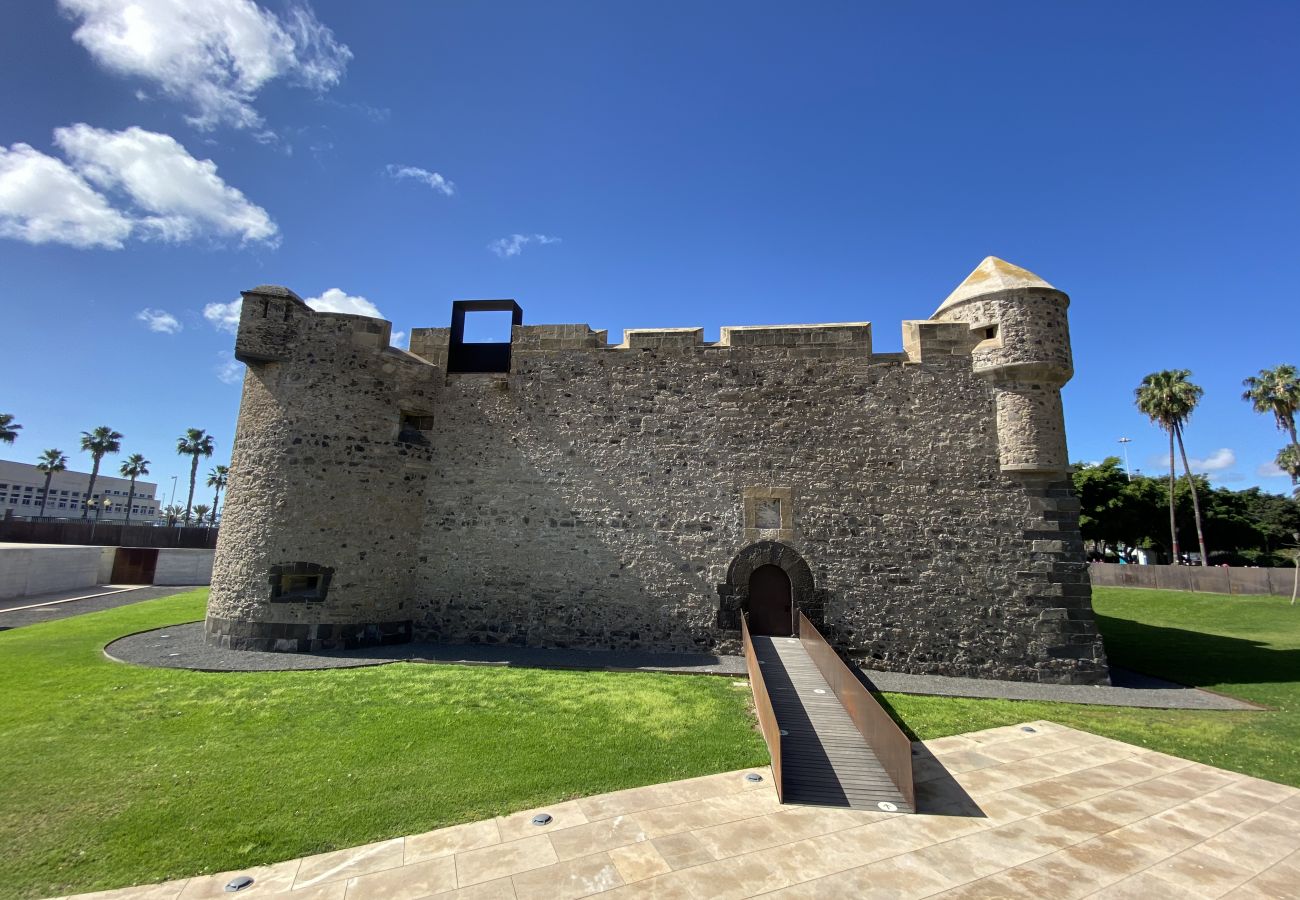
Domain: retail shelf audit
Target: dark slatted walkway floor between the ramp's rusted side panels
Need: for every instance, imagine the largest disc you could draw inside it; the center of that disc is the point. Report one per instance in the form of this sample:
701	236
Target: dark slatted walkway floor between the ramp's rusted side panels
825	760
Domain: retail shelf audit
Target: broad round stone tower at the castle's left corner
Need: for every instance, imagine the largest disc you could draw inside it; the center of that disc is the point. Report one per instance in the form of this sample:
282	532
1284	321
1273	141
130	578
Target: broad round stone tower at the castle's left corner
318	546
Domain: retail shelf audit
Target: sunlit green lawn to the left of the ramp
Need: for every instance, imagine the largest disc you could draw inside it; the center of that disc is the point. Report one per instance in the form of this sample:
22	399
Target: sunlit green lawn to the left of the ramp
115	774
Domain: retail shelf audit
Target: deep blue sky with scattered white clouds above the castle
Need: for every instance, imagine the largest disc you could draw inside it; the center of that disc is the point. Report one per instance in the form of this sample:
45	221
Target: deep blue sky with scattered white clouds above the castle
653	166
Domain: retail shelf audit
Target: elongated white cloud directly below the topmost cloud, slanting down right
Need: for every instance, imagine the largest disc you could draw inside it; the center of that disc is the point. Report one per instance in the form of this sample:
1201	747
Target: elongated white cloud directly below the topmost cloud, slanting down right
184	197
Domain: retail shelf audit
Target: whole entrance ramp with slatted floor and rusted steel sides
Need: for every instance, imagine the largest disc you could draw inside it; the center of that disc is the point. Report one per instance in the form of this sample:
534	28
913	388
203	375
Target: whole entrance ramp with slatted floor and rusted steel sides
831	742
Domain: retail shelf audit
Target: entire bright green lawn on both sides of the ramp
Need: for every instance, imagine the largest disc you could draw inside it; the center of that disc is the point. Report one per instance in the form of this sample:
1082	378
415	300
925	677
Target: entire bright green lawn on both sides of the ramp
114	774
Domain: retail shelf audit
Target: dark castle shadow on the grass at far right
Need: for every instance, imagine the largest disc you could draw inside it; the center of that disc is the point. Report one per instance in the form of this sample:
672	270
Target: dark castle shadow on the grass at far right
1193	657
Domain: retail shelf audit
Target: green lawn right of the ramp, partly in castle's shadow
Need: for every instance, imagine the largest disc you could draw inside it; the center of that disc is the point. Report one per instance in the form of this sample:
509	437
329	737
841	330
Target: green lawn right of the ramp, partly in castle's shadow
1245	647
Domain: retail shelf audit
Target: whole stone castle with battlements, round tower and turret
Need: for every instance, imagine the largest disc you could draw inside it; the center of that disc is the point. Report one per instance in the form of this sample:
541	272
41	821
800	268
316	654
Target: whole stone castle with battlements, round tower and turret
561	491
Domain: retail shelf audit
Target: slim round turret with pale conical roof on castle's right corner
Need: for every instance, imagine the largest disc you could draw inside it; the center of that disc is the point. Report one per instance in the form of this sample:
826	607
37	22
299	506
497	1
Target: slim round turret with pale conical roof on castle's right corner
1024	351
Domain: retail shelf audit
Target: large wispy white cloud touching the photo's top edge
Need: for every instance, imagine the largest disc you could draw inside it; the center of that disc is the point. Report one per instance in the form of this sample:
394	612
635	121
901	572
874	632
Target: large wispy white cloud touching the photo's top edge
216	55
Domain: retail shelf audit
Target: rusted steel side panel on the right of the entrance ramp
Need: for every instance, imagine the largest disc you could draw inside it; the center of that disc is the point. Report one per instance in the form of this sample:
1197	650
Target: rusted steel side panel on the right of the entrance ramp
885	738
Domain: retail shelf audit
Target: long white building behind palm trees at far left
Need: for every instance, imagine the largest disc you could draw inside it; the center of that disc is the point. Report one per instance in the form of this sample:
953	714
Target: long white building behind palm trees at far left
23	487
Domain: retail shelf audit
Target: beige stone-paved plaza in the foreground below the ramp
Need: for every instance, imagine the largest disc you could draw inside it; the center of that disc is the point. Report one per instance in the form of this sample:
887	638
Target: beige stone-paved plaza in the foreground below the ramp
1034	811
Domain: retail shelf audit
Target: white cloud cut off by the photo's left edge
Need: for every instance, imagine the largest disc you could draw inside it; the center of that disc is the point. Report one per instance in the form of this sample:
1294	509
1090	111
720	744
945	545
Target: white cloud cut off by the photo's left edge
44	201
